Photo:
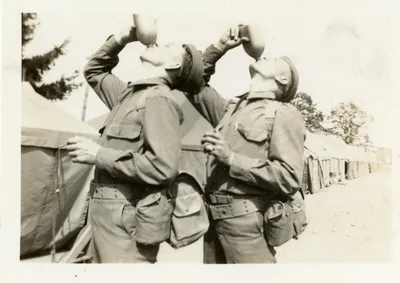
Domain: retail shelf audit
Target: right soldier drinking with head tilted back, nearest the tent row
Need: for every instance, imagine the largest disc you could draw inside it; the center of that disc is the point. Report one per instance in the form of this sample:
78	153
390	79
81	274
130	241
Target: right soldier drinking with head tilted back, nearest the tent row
255	155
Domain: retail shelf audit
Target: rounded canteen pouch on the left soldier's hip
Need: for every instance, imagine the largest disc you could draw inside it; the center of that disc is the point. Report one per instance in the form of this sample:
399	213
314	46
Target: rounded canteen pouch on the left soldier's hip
153	218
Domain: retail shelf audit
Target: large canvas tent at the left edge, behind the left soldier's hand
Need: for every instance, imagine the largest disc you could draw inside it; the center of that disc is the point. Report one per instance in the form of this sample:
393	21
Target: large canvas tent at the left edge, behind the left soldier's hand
54	191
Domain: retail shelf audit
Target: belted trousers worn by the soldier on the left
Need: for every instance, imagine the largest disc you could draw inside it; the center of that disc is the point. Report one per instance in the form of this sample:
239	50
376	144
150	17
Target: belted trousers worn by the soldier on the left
112	219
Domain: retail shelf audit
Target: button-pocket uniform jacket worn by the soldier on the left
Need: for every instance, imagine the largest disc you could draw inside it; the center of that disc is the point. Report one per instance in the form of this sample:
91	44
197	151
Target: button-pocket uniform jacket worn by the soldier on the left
141	137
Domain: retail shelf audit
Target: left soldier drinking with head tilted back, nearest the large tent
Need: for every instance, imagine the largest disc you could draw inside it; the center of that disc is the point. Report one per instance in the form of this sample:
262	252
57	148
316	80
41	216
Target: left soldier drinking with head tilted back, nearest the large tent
137	154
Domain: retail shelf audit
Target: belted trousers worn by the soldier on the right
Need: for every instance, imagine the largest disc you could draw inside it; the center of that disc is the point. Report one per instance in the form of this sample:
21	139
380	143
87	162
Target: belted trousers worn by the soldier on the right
237	239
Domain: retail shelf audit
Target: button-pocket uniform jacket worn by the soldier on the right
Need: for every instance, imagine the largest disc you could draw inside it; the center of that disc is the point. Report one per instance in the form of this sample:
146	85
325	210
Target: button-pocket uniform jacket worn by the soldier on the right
266	136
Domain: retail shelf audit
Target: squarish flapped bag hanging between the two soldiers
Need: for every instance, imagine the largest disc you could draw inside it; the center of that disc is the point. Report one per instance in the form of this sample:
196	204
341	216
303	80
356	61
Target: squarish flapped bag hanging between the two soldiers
190	221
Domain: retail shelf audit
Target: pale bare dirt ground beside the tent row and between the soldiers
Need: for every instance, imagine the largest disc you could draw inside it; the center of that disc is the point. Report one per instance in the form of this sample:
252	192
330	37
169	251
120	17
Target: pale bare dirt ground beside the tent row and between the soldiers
348	223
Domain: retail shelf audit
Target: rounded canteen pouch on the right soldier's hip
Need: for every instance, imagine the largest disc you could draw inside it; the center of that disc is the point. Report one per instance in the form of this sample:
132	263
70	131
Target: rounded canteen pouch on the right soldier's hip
278	223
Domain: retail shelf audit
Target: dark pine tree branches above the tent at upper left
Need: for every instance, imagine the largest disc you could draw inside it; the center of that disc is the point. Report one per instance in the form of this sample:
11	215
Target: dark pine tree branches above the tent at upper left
36	66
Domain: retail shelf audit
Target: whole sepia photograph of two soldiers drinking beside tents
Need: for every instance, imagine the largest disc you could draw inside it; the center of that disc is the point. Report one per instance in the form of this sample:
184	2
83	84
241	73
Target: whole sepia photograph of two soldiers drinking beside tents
208	139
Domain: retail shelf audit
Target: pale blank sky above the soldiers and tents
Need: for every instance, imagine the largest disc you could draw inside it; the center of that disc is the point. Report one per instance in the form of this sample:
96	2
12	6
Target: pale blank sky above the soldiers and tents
344	51
